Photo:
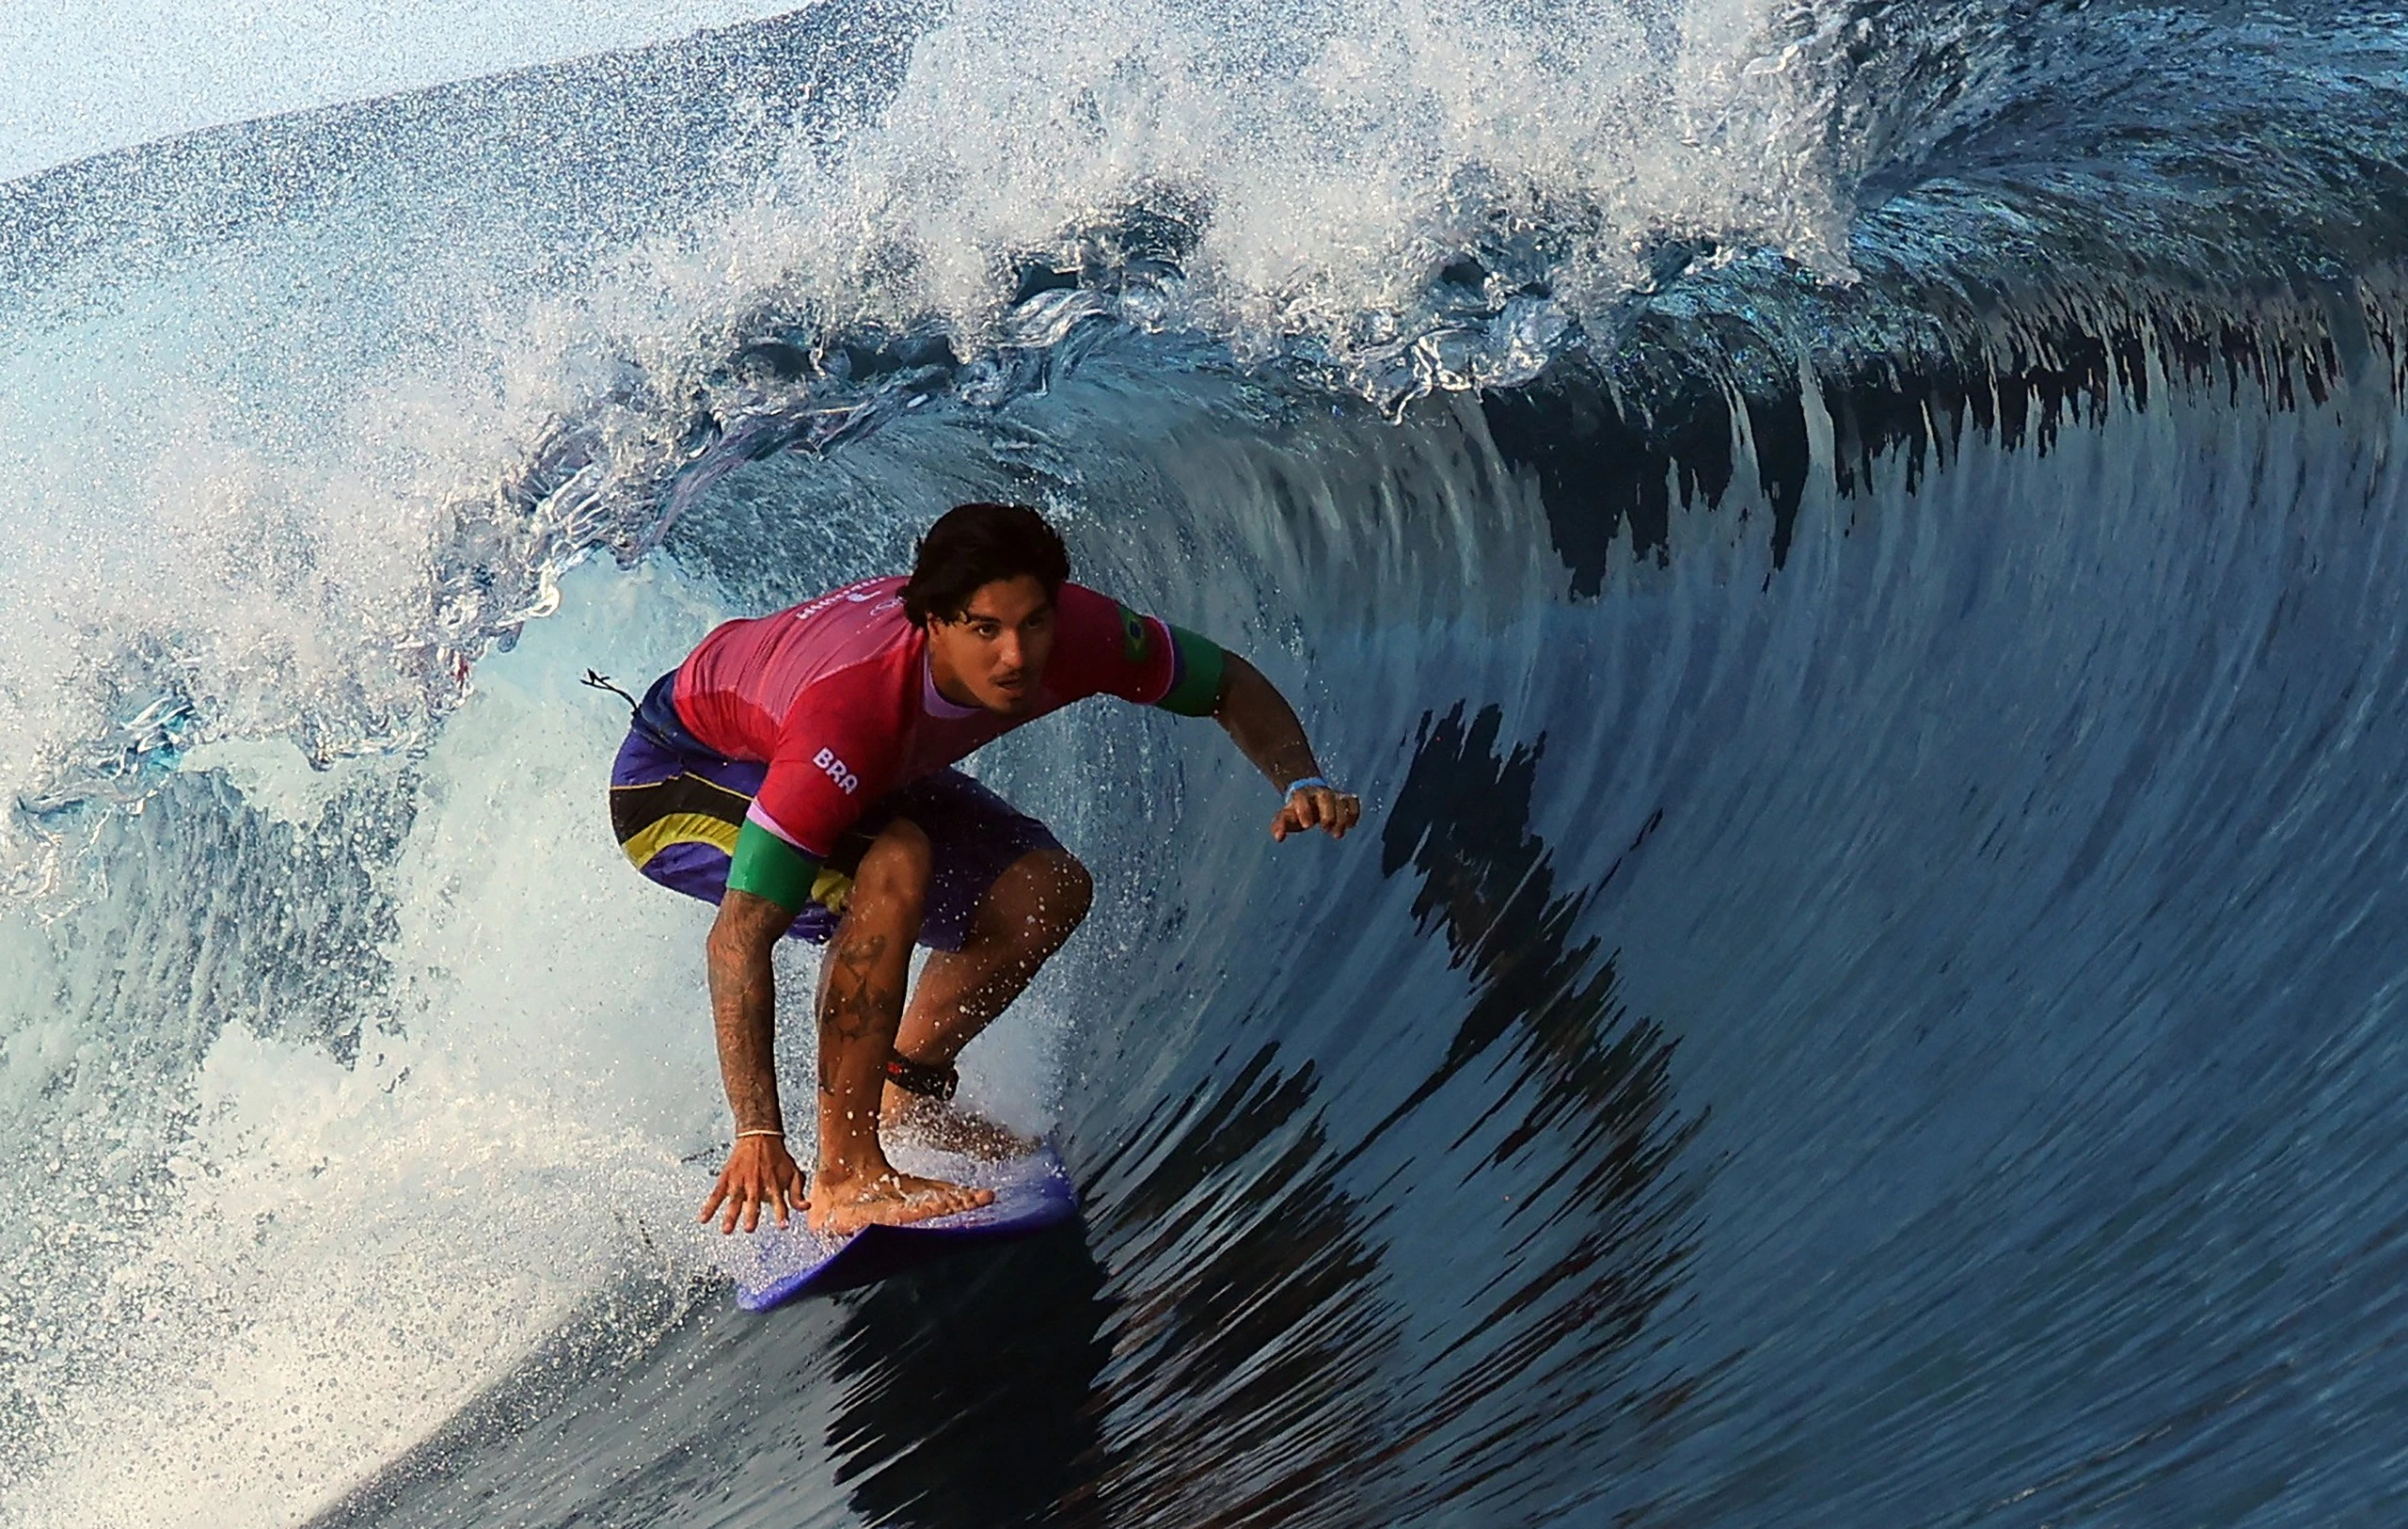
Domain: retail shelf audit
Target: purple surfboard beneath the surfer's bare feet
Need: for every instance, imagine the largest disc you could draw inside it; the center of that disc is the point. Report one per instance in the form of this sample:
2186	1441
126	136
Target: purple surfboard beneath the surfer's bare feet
777	1265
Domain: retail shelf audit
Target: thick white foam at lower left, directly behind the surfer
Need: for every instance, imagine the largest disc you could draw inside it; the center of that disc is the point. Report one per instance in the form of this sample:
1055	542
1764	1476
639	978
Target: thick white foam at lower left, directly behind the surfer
350	1253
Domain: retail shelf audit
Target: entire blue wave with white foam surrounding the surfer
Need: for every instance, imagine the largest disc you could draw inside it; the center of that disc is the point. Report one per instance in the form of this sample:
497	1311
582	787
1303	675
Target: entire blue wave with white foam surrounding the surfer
1851	553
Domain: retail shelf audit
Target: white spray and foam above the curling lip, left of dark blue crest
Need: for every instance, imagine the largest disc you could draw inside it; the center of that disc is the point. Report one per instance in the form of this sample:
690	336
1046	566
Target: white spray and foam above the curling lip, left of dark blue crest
644	220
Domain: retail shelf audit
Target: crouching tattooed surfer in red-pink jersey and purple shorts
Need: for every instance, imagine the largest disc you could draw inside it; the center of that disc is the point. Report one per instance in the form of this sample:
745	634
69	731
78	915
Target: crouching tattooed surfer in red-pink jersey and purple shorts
796	769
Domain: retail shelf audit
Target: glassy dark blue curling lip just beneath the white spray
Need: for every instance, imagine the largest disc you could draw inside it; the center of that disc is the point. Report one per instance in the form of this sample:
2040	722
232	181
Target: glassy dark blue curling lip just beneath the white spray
1971	293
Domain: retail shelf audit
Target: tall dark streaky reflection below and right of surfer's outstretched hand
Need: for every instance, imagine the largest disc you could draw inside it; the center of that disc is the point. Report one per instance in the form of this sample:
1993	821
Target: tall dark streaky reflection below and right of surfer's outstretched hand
1588	1155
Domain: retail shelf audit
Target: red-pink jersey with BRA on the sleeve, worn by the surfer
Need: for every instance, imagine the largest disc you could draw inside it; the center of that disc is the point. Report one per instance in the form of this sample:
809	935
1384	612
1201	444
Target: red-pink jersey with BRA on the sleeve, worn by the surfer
839	702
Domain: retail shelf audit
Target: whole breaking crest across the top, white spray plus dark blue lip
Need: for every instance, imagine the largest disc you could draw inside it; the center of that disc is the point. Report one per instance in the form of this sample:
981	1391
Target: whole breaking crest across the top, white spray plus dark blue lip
784	261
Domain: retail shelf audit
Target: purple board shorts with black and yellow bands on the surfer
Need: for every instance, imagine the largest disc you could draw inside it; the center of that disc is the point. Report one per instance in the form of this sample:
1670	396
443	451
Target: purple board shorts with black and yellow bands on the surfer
678	808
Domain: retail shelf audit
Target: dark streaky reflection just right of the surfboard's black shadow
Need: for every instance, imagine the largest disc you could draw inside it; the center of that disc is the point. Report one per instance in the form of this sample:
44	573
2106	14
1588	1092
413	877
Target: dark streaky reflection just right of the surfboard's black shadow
1253	1323
